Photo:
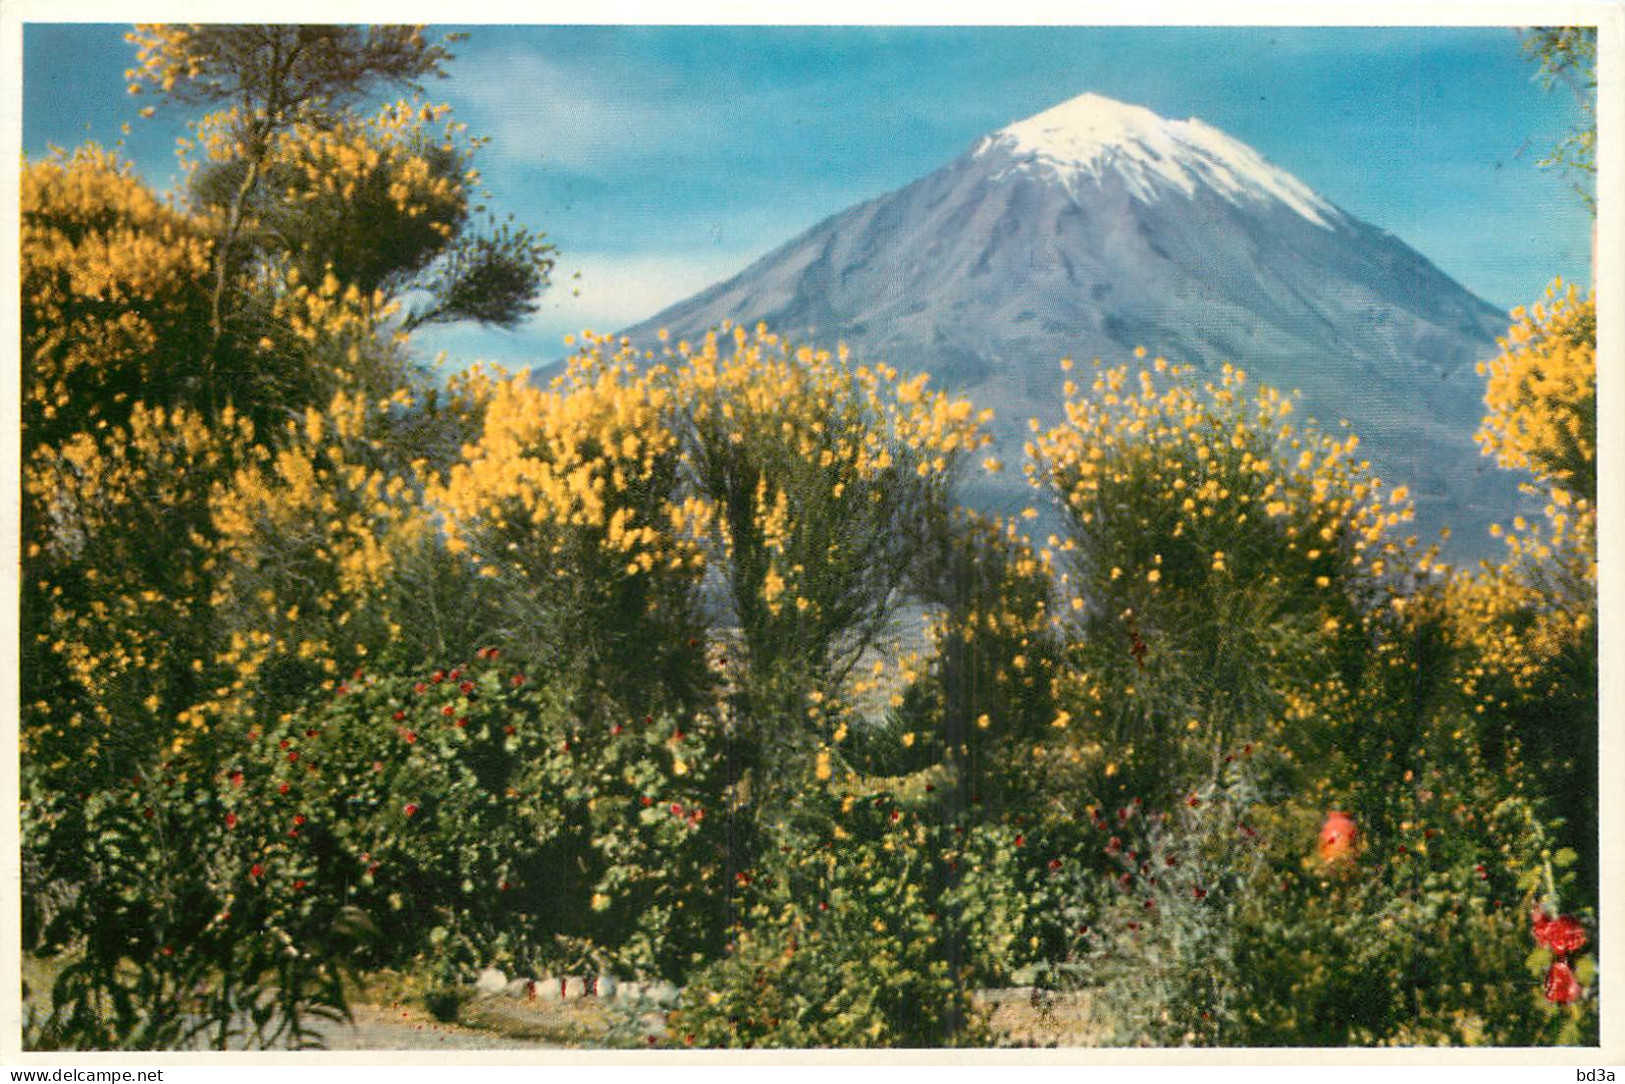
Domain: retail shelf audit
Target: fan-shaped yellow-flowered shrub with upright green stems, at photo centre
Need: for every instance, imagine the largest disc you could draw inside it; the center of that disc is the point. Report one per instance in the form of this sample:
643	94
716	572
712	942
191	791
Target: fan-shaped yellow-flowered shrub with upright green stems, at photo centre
826	479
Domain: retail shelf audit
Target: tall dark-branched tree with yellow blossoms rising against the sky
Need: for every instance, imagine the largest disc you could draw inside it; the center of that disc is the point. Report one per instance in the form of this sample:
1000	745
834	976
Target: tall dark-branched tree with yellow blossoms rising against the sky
297	180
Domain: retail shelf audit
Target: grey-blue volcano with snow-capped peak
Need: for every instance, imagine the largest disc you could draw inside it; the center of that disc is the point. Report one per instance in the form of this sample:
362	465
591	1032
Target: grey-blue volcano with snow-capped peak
1098	227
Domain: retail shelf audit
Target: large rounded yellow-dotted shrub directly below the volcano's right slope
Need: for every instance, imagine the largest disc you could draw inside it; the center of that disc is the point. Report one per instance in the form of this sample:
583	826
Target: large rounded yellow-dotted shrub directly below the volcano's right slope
1220	563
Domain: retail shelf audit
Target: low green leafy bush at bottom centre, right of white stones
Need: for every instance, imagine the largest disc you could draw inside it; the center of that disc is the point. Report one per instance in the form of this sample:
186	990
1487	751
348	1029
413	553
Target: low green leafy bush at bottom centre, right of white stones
839	943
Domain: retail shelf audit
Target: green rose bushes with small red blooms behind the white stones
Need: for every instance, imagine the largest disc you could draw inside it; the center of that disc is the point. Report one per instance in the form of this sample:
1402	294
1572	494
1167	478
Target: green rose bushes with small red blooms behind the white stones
475	820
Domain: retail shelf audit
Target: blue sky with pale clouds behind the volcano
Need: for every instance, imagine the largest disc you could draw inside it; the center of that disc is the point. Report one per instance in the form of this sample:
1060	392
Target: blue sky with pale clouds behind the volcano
662	160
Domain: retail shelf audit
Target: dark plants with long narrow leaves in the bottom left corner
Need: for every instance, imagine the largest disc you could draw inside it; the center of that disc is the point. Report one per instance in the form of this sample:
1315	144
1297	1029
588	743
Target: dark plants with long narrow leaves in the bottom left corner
165	937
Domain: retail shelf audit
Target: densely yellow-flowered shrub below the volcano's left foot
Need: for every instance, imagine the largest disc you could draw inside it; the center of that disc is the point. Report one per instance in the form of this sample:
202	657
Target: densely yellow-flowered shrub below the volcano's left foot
571	503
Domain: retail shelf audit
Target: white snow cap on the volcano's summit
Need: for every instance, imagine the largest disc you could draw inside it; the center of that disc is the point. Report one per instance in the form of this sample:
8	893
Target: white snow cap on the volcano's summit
1091	136
